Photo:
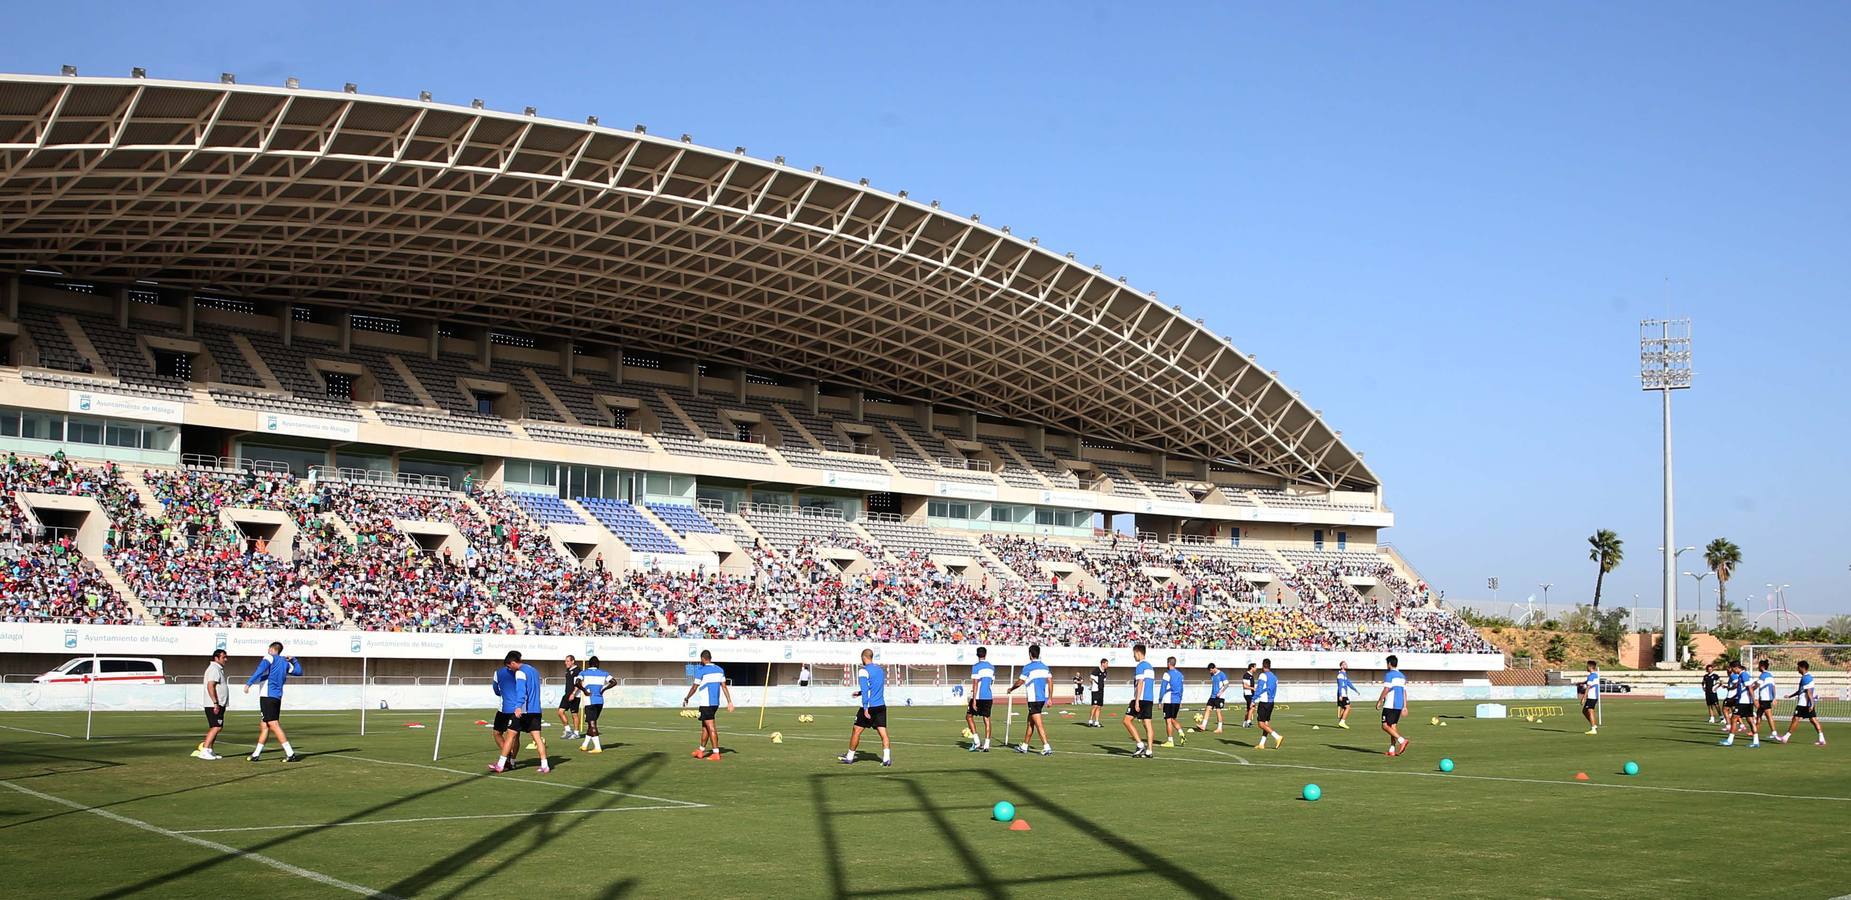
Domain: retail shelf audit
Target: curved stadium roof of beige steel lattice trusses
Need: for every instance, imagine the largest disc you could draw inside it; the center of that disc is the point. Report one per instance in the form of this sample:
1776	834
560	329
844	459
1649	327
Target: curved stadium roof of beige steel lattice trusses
573	231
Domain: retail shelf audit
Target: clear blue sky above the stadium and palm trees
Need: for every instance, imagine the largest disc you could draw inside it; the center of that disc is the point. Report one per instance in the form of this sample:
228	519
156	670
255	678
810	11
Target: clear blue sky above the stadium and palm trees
1443	223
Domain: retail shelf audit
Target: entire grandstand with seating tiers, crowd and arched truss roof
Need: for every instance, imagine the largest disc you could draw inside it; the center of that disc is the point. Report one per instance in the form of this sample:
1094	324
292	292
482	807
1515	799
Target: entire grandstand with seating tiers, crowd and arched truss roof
297	360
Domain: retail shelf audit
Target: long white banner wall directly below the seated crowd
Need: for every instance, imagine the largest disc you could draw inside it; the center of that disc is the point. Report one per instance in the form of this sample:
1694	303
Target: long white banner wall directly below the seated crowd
34	638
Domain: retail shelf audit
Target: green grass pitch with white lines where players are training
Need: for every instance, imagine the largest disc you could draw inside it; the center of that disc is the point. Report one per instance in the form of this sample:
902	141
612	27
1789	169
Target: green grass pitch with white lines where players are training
132	814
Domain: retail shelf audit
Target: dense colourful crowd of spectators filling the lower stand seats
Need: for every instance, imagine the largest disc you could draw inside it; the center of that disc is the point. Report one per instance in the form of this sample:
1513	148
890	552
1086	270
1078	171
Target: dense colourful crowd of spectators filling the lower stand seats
354	566
